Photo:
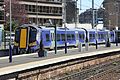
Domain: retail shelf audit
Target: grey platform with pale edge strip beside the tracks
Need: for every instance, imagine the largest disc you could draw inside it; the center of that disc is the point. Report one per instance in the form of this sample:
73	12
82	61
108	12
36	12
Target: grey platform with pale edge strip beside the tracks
28	61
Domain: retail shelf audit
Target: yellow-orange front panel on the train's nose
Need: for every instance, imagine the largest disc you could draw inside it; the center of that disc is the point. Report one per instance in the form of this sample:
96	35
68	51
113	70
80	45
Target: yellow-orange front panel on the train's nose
23	38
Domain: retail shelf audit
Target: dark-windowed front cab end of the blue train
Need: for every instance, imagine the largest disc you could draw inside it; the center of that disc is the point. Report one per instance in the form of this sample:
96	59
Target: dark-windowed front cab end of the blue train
27	39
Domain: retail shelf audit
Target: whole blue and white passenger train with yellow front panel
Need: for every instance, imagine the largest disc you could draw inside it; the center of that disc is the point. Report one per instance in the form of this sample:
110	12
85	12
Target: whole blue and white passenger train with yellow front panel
28	37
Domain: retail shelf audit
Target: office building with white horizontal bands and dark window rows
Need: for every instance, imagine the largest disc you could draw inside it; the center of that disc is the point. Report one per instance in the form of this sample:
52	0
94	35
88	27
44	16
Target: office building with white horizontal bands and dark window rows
41	11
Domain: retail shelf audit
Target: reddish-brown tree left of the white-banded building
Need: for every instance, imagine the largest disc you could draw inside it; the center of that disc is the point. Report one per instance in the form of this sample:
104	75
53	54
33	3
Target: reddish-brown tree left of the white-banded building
18	13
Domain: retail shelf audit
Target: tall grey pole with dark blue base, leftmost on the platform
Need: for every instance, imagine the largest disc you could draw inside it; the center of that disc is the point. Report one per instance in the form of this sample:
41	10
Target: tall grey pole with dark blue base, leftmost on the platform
10	48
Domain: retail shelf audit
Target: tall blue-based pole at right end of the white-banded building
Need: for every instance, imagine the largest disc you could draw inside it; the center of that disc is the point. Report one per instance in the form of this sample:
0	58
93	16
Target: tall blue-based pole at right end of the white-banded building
64	22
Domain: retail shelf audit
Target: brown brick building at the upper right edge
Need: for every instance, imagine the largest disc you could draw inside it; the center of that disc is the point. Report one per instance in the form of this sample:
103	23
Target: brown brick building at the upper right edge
111	14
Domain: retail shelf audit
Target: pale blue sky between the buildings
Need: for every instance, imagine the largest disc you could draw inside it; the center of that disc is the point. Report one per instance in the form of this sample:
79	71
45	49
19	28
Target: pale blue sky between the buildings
86	4
